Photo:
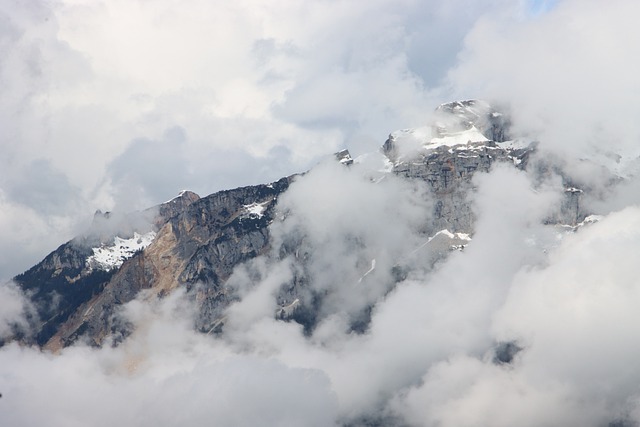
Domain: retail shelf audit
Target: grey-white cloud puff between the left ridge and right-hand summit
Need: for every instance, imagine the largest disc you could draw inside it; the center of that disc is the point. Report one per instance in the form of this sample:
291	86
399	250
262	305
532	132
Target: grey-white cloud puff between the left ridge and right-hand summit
348	224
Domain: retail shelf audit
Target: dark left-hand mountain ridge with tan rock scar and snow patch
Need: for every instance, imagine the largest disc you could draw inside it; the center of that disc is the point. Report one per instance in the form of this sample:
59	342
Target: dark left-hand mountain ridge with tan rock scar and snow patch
196	241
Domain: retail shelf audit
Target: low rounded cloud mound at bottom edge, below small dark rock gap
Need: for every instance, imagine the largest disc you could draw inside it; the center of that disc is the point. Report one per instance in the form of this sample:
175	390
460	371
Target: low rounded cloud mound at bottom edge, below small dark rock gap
465	391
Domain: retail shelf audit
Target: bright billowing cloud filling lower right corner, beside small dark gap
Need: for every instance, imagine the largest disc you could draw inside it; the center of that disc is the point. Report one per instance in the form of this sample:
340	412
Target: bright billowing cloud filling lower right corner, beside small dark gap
576	321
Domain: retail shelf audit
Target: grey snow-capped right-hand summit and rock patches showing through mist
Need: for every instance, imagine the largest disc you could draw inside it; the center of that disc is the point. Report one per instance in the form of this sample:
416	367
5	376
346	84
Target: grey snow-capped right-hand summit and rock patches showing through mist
446	159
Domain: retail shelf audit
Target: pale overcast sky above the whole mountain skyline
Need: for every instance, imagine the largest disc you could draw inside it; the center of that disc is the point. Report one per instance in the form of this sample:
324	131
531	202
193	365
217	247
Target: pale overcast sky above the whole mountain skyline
120	104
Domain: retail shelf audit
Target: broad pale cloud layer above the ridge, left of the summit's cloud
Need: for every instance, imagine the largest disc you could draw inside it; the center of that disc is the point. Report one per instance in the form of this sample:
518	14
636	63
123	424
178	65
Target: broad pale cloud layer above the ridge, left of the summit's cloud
120	105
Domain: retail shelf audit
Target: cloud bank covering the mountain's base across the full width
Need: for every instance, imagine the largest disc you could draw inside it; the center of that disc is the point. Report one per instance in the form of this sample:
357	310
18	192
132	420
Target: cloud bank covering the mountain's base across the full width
568	300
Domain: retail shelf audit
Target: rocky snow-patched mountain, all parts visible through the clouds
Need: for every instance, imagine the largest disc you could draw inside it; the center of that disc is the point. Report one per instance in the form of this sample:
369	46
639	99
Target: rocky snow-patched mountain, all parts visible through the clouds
195	243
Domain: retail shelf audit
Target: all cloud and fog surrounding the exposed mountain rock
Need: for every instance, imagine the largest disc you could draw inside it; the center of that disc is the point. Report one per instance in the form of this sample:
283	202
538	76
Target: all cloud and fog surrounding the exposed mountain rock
565	303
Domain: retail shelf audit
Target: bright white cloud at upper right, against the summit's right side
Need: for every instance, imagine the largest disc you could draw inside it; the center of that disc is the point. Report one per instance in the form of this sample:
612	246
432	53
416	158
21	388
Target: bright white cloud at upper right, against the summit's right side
566	74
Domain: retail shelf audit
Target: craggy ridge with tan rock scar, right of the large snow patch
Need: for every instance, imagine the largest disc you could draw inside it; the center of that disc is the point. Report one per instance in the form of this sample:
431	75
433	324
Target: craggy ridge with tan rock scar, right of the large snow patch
196	248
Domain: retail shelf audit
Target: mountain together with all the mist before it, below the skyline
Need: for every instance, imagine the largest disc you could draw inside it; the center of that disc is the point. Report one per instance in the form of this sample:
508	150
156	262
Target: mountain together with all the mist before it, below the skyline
446	279
